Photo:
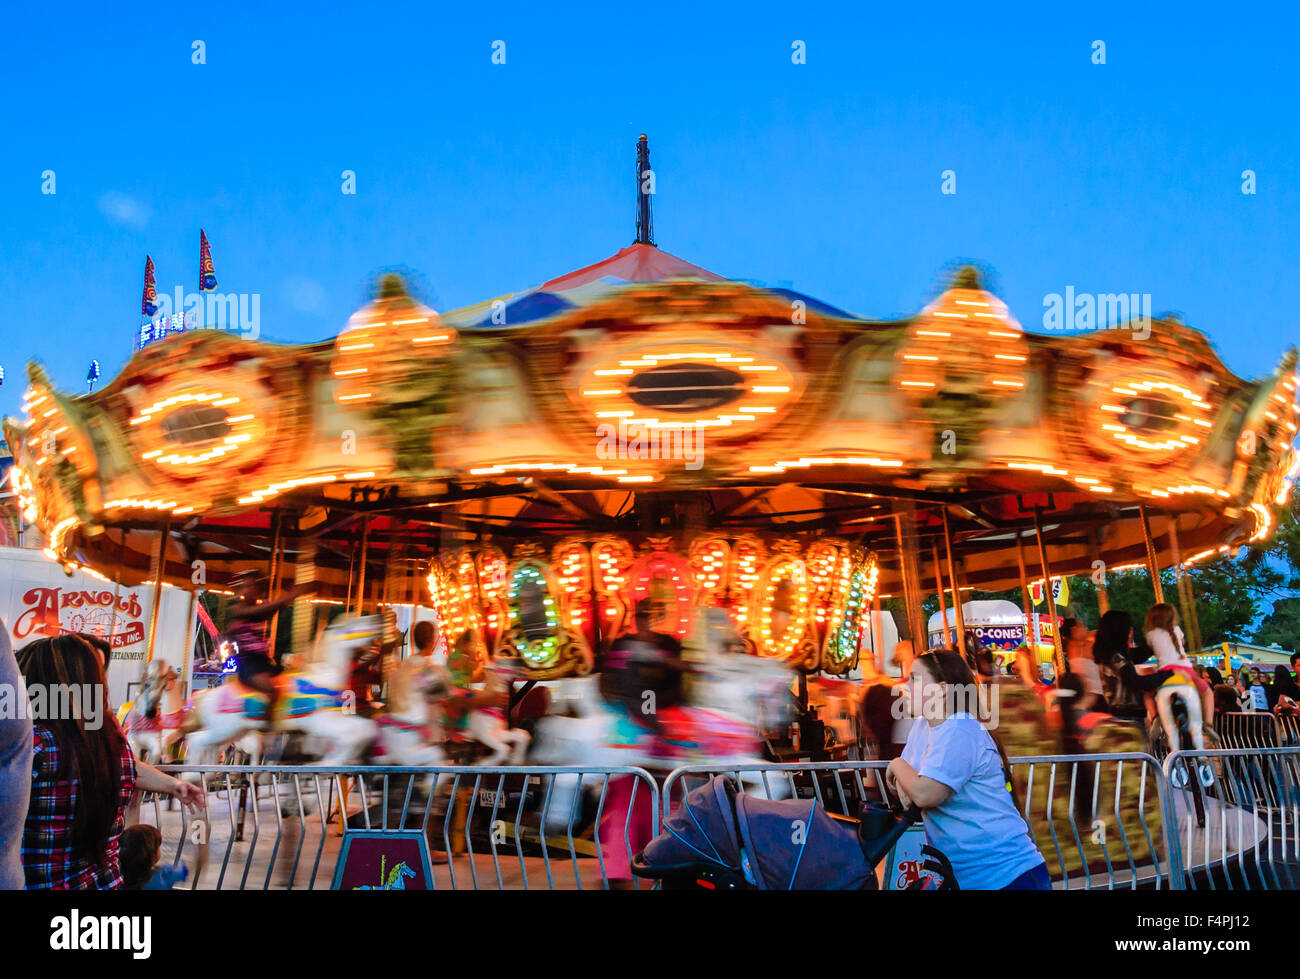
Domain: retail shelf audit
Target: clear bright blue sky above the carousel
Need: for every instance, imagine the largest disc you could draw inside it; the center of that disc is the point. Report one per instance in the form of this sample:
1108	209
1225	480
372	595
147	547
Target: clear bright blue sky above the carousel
482	179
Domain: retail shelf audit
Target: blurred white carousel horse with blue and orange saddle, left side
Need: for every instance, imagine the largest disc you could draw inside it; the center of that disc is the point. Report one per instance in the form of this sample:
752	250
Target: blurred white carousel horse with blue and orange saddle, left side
315	701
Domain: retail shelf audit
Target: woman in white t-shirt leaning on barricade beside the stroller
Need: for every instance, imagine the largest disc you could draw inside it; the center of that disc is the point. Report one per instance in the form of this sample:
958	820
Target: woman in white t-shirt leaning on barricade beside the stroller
952	769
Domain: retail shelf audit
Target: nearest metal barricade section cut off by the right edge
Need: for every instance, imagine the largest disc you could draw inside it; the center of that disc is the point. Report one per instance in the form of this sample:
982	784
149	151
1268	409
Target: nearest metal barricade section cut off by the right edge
1240	817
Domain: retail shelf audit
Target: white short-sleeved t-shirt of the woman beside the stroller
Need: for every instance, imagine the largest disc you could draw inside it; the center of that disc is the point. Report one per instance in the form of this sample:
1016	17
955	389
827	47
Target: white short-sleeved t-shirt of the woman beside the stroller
977	828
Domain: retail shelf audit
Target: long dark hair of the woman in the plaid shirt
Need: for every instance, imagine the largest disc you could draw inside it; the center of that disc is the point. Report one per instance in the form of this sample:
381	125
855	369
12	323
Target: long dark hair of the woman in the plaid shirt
94	759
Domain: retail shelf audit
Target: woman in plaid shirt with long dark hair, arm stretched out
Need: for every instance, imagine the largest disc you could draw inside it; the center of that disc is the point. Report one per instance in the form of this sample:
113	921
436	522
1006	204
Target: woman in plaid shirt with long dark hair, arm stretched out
83	772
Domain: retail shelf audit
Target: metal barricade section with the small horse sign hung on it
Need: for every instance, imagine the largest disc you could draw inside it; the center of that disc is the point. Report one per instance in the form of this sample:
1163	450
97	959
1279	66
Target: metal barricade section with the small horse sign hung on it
314	828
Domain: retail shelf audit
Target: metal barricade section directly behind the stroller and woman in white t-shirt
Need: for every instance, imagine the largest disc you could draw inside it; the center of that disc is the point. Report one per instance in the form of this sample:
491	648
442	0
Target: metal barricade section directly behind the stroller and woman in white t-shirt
1100	821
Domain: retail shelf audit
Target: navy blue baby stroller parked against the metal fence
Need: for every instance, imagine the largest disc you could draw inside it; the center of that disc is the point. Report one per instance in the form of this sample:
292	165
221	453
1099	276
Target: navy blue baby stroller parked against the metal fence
722	841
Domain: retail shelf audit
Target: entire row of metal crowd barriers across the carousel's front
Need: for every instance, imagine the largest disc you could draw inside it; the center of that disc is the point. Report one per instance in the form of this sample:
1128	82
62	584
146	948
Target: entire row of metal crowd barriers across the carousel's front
1225	818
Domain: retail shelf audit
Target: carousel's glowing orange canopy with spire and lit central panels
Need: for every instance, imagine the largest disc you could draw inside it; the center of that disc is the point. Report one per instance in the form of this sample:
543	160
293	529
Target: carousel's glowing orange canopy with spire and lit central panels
536	466
